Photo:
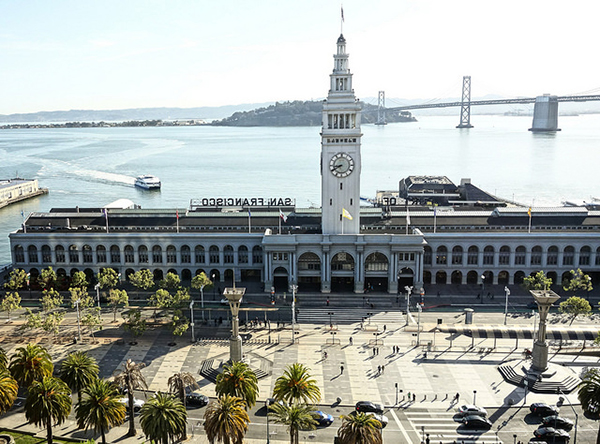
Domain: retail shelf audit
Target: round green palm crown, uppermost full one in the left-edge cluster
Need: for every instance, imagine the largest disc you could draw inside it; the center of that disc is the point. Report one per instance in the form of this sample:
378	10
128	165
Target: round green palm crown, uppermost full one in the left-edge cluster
30	363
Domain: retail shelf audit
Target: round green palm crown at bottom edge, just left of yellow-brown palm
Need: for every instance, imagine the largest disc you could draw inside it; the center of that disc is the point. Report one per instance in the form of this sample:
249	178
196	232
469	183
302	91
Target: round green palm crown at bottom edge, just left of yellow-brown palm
163	418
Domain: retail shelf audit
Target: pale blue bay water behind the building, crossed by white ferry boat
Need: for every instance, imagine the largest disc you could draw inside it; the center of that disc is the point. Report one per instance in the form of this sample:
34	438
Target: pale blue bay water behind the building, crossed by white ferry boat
91	167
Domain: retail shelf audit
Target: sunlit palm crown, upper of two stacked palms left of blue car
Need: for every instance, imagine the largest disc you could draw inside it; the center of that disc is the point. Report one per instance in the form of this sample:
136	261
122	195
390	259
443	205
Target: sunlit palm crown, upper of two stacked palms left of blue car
296	385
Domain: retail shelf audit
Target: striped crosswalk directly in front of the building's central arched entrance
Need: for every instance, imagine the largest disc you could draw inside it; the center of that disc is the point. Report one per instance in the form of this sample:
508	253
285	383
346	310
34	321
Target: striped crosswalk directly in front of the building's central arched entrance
349	315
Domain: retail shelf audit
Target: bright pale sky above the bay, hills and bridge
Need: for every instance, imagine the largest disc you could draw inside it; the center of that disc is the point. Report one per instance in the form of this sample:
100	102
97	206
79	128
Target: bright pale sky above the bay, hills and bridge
116	54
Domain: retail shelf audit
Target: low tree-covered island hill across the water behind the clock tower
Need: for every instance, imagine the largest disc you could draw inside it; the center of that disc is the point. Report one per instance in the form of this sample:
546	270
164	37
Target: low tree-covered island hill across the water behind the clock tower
299	113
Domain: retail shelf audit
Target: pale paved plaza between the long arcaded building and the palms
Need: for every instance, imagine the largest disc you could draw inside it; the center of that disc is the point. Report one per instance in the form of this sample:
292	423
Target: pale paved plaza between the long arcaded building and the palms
433	379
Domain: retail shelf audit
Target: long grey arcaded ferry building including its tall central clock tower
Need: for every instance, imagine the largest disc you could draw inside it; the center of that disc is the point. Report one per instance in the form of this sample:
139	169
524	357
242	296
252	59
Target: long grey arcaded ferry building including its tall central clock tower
403	239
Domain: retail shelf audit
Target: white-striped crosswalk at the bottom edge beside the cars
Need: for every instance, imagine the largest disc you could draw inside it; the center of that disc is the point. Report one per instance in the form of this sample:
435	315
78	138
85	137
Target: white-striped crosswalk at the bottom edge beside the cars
441	427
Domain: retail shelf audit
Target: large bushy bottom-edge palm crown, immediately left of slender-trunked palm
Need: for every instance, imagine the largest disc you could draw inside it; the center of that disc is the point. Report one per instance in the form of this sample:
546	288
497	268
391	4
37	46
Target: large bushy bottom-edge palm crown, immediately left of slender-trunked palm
100	408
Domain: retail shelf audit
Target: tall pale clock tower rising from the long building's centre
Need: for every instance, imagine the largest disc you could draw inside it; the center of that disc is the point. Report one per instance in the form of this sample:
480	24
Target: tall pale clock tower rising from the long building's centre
340	151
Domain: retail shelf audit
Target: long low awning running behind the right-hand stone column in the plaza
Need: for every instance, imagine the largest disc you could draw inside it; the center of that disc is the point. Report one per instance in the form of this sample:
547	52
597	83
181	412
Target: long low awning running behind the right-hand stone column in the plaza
517	332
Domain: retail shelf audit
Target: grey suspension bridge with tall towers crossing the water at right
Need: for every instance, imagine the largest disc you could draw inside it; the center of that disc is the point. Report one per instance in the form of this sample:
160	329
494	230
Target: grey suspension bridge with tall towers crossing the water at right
545	111
